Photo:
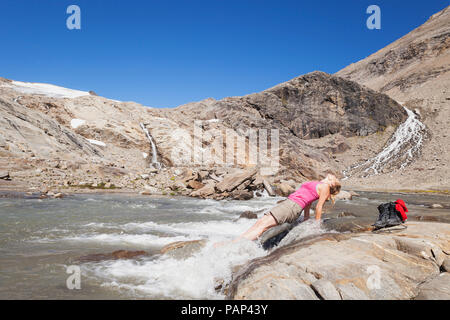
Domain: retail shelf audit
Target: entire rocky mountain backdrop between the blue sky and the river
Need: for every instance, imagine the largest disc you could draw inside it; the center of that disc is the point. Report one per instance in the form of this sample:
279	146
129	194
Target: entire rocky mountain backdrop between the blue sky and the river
352	124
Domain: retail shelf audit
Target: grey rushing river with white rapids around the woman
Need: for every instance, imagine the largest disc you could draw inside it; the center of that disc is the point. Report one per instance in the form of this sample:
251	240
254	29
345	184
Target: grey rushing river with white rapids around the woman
41	238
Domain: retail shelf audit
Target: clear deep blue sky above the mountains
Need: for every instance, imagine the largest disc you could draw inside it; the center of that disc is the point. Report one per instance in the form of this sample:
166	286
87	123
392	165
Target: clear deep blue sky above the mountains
167	53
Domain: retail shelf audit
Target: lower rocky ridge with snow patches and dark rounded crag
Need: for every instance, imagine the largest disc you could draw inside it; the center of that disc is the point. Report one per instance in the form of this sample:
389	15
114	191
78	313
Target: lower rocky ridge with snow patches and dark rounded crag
65	139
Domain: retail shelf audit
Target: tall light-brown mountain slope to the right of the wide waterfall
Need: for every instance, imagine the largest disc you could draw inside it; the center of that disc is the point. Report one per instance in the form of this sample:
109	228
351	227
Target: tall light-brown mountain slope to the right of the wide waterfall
415	71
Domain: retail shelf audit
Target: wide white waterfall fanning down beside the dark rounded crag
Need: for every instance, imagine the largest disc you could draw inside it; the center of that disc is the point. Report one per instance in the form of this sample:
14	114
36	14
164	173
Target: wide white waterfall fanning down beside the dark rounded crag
399	151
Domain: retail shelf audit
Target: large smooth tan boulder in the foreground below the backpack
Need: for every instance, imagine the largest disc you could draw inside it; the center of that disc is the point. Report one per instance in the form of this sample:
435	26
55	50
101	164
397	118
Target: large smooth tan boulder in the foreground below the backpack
402	265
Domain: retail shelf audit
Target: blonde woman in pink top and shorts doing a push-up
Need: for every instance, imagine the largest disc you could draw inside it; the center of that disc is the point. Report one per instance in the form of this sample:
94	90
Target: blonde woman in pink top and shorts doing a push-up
290	209
